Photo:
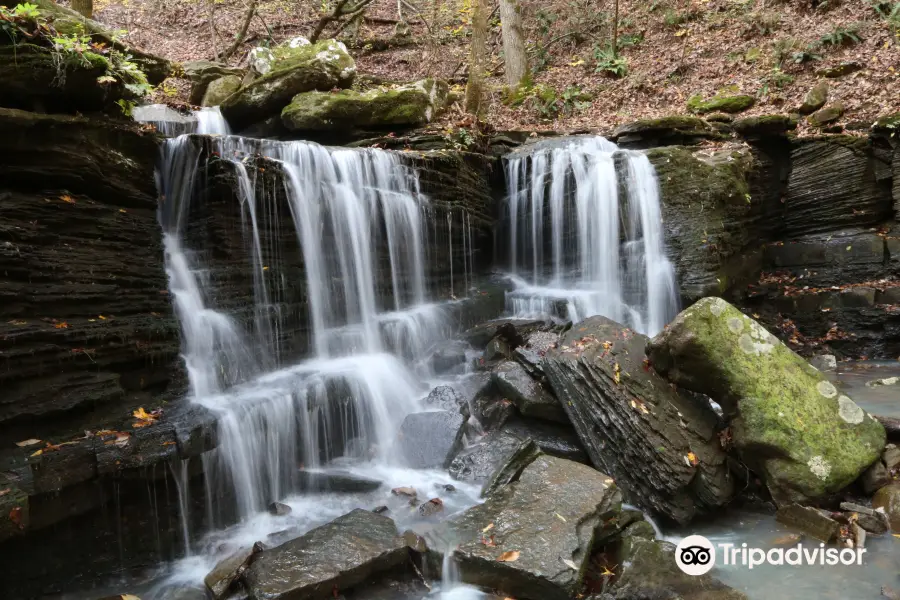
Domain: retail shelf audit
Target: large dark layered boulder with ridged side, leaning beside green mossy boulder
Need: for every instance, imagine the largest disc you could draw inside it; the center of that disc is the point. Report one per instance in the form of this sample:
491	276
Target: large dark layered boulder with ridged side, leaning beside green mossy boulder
660	445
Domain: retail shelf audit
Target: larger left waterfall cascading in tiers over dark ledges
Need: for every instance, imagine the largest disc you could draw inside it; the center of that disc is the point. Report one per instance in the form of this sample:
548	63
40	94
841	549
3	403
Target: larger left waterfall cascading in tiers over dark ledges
345	206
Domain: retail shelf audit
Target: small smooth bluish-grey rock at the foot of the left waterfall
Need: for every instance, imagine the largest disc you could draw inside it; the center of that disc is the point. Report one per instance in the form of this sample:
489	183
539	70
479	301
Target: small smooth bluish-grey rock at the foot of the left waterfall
429	440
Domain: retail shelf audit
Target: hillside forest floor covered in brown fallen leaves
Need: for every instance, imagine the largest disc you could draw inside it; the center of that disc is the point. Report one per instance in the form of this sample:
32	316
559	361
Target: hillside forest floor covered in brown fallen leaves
774	50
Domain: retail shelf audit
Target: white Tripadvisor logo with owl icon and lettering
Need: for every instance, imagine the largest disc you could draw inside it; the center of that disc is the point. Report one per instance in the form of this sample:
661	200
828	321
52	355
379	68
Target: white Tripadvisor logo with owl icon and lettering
696	555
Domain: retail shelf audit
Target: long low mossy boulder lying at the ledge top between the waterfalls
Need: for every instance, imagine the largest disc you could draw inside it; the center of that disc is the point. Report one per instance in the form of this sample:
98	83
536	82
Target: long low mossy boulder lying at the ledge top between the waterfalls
406	105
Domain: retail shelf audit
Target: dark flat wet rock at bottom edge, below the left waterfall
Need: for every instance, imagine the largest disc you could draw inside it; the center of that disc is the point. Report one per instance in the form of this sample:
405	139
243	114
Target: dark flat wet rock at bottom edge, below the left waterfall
338	555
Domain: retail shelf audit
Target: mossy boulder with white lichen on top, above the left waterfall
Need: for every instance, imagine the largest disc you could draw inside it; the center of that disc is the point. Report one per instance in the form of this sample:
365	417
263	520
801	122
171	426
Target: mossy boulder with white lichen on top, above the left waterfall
321	66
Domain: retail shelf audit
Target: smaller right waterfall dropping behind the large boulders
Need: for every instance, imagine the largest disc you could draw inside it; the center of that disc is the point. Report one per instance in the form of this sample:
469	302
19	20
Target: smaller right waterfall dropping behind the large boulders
586	236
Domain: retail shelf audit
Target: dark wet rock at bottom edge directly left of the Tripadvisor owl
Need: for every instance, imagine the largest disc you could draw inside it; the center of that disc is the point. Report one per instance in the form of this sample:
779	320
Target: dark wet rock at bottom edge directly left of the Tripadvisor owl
649	571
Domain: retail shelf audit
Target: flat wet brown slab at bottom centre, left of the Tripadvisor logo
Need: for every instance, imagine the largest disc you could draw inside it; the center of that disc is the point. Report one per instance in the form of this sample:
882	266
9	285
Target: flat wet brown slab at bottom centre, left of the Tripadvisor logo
546	518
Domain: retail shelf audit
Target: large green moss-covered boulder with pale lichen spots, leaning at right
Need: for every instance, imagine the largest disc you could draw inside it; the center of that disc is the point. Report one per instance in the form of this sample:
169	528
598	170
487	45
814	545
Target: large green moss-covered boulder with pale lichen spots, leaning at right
789	423
